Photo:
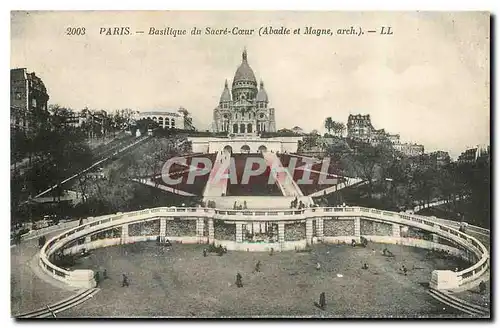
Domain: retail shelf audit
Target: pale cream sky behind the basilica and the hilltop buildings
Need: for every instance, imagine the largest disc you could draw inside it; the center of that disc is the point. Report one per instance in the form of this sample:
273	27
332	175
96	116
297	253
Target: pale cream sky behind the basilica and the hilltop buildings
429	81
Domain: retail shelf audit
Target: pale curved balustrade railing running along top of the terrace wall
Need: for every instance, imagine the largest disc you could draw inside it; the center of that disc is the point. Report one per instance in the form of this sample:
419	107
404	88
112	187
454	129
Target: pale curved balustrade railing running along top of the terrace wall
94	225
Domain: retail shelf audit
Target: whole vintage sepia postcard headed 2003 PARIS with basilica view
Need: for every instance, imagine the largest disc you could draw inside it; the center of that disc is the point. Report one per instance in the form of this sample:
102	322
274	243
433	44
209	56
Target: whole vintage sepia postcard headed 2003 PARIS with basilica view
250	164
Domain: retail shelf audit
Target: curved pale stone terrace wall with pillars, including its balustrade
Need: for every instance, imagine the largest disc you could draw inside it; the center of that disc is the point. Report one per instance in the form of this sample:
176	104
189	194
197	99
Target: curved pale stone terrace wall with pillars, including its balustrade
291	226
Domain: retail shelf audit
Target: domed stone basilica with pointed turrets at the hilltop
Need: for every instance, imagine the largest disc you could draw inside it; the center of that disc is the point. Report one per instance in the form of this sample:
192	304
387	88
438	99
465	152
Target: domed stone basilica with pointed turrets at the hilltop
244	110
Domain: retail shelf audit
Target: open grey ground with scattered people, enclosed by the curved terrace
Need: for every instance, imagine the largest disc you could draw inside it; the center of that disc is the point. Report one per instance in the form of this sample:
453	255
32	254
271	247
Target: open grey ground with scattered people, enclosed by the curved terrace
179	281
